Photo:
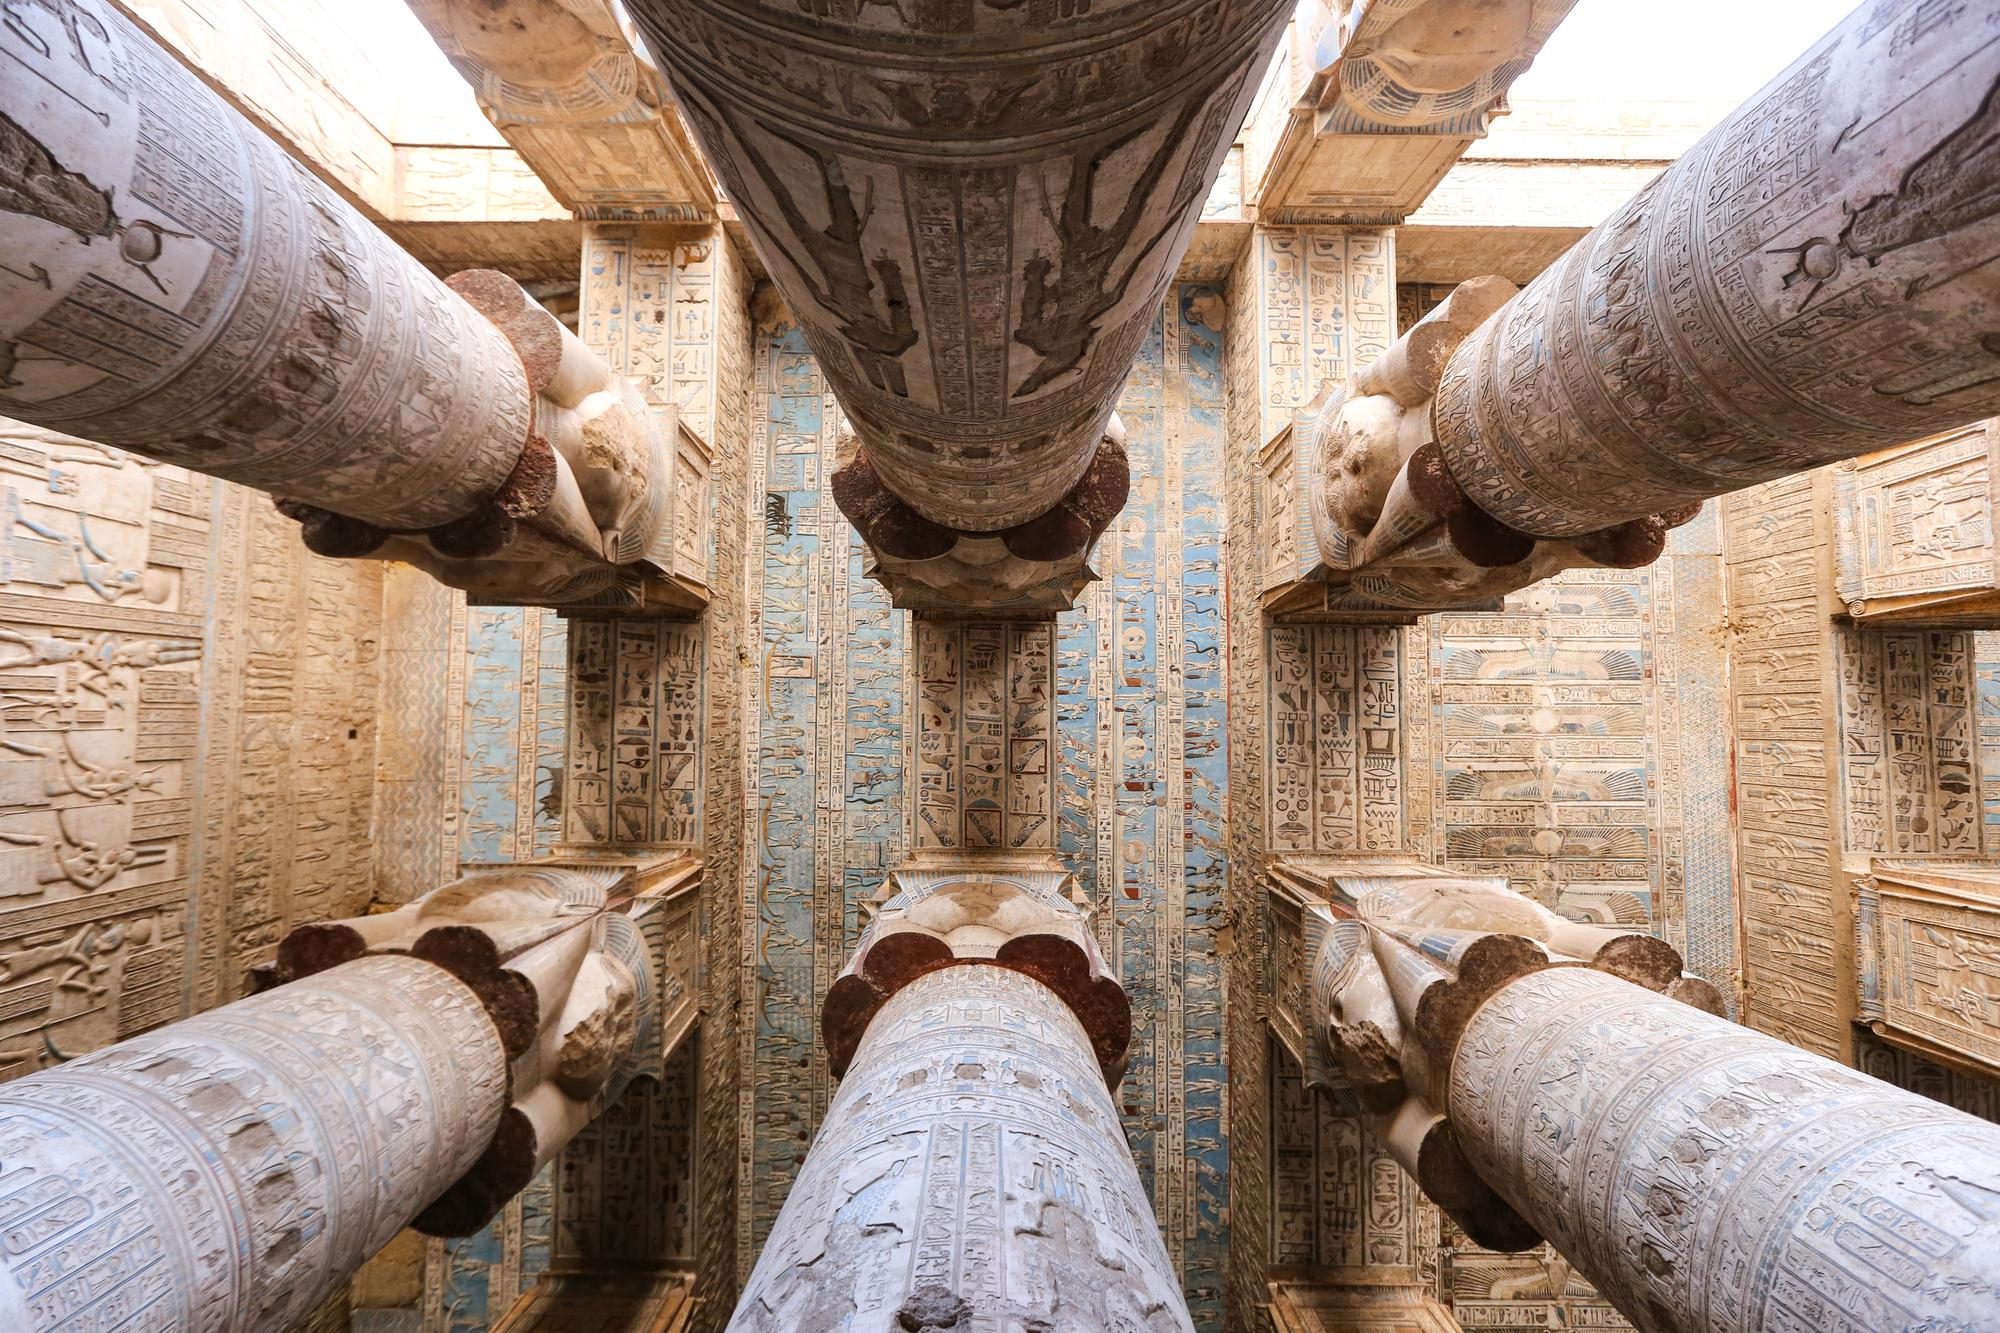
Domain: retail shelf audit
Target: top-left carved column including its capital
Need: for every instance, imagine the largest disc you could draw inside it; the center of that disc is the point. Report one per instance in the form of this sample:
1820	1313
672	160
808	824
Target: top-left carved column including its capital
179	287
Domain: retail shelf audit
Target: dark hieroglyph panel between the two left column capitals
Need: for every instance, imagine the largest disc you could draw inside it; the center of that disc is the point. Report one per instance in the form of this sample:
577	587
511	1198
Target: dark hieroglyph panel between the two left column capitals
635	760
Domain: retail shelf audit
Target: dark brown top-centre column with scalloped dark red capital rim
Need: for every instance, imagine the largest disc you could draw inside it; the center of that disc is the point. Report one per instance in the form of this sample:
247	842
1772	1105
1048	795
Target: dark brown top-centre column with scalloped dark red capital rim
975	213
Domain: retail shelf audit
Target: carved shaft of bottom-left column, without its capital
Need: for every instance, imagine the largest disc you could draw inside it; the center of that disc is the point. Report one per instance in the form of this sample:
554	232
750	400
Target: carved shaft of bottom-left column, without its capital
229	1172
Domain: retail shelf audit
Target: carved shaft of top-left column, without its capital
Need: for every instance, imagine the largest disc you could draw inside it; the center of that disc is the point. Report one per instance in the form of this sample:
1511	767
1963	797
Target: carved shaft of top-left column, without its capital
179	287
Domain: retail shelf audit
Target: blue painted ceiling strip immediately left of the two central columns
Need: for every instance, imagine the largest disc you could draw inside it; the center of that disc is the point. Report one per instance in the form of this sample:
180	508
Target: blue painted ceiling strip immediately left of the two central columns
827	788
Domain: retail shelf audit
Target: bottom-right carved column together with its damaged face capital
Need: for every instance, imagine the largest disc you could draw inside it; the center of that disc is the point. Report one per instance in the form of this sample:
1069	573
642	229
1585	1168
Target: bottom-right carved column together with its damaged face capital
1565	1082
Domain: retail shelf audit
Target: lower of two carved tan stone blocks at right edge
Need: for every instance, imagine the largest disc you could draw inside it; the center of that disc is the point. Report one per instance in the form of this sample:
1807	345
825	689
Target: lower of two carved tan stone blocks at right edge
1929	960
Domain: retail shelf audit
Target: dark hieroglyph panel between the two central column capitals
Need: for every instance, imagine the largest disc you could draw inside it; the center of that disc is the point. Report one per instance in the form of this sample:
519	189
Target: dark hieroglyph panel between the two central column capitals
985	736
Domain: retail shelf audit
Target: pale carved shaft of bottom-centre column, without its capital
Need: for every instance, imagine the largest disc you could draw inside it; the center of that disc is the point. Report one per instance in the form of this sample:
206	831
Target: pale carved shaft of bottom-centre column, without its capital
971	1176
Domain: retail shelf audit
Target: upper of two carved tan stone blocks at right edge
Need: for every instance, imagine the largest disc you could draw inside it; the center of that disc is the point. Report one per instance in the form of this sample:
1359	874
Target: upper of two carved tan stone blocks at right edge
1915	533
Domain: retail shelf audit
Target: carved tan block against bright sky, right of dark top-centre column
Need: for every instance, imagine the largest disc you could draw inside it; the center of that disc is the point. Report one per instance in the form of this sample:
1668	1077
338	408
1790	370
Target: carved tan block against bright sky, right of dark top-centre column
1397	93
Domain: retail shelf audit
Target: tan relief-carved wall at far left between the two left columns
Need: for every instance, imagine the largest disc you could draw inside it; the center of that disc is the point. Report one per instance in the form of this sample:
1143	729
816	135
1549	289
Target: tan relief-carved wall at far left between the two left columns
187	726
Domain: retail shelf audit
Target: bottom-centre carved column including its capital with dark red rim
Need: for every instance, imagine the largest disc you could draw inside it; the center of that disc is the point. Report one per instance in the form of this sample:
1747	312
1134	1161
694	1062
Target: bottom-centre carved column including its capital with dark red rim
973	1170
